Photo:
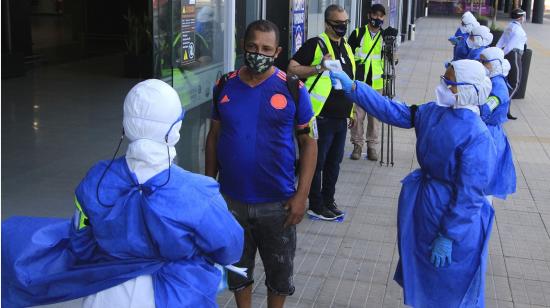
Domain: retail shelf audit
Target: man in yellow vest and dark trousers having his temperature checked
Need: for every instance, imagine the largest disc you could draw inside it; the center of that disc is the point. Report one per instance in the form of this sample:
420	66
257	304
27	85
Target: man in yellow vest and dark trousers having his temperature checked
331	107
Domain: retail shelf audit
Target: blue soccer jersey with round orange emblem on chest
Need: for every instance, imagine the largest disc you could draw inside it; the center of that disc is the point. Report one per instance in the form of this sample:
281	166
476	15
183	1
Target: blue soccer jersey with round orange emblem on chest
256	150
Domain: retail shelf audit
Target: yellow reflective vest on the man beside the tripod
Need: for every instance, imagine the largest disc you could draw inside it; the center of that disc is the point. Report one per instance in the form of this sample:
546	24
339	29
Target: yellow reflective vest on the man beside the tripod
374	60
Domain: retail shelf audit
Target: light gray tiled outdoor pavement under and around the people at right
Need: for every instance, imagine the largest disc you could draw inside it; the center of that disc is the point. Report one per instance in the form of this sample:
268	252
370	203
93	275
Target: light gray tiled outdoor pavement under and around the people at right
351	264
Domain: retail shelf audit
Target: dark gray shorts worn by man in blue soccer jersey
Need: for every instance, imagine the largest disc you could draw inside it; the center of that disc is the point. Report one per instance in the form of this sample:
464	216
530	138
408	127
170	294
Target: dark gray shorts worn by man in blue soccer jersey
264	231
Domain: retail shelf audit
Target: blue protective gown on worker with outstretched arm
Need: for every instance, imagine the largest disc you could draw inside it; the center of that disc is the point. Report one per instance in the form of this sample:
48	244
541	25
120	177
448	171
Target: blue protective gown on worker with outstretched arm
446	195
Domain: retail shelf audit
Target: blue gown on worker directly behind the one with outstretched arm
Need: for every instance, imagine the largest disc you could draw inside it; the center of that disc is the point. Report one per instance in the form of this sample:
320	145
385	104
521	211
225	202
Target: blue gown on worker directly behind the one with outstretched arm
503	181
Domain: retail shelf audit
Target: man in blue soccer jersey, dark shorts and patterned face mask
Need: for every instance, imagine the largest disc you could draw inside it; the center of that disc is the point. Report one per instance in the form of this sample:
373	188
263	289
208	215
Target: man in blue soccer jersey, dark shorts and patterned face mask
250	147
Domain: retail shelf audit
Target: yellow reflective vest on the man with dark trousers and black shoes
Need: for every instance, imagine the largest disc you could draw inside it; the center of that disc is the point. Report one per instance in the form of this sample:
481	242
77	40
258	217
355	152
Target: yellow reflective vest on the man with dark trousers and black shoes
323	86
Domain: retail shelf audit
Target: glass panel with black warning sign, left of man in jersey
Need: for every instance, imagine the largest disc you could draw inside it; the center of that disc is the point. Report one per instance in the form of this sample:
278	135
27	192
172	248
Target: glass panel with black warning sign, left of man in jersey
188	54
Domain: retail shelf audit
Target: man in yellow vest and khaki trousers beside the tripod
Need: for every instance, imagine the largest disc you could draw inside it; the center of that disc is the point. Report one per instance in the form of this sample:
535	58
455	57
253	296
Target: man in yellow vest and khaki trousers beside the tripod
366	43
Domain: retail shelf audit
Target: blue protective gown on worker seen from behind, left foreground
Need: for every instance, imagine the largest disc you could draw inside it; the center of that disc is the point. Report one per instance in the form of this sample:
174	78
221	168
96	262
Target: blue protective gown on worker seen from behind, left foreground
173	233
